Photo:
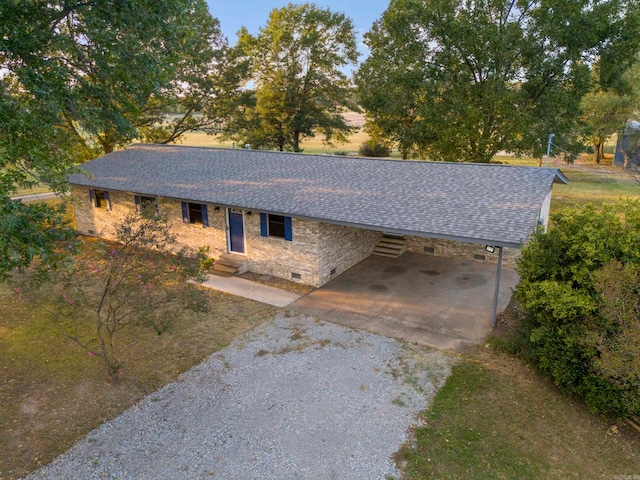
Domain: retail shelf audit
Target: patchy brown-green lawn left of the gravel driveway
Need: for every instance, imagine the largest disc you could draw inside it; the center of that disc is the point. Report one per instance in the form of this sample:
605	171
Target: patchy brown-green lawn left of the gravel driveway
53	393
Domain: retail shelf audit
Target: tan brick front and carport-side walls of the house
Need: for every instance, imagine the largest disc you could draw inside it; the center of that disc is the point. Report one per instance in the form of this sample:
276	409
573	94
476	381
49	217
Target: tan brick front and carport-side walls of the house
315	250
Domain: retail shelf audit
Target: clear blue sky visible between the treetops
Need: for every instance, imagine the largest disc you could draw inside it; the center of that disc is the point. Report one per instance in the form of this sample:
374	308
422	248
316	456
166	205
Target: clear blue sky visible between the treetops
253	14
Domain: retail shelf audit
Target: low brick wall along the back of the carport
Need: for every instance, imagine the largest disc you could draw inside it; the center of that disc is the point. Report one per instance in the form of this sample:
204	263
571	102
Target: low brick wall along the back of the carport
450	248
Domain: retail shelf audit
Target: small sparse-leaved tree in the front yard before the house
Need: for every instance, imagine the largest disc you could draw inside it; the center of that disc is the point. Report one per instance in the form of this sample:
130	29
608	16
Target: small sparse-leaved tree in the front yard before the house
133	282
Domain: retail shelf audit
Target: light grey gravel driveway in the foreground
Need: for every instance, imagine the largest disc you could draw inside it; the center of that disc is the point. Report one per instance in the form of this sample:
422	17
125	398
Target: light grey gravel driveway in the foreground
294	398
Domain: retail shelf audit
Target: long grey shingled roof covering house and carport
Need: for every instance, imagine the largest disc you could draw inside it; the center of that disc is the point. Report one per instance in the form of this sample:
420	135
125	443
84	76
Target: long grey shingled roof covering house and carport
477	203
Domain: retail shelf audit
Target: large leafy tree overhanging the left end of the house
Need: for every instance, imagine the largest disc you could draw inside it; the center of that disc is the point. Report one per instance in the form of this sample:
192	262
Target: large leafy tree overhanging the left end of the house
80	77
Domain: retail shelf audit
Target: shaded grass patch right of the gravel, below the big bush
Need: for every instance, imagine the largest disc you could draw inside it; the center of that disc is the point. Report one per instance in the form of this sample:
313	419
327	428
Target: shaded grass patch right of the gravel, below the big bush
496	419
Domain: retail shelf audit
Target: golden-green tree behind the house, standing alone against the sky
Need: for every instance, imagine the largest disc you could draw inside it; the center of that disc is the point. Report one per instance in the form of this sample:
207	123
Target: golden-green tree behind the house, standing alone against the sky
296	64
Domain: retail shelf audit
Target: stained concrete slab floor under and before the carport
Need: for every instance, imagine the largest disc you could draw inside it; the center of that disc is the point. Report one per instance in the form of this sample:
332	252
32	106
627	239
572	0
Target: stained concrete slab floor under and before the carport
444	303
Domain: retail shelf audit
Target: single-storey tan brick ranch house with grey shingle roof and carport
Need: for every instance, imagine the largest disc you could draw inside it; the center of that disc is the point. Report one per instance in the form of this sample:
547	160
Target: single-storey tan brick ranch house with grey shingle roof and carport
308	218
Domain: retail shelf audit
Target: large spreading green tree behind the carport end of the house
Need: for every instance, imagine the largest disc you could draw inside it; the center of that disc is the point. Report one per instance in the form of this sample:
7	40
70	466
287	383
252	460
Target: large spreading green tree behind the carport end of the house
463	80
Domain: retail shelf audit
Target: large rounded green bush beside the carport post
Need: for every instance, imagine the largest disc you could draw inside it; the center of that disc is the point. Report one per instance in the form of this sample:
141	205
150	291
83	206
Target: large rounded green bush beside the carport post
579	291
